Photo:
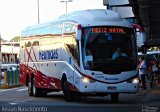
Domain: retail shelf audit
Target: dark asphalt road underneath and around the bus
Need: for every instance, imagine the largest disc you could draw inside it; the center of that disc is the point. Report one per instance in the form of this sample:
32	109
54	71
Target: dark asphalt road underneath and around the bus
17	99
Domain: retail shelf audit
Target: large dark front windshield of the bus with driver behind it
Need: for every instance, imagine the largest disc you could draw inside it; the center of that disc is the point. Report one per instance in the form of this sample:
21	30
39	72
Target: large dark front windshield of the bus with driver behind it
109	49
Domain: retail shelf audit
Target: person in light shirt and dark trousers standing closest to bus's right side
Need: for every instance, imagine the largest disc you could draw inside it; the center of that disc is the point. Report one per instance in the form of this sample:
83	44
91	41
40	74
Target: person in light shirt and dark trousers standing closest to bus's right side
143	71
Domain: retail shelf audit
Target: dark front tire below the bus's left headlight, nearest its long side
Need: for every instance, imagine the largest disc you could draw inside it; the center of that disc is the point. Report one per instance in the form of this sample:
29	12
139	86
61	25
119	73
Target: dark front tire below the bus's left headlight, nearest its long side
68	94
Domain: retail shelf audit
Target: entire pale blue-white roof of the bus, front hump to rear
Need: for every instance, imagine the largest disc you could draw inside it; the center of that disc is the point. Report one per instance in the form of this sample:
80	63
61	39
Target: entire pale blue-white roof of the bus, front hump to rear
94	17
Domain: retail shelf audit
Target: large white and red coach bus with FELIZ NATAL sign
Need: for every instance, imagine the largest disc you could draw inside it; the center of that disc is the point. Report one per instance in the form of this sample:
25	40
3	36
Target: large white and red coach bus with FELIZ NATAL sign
74	54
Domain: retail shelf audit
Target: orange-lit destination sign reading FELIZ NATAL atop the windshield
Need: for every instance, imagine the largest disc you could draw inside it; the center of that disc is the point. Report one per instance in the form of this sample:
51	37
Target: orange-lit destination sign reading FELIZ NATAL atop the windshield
107	30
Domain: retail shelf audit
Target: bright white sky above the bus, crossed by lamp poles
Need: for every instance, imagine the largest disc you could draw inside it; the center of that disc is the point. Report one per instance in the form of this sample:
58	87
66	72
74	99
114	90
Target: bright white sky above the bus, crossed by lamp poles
18	14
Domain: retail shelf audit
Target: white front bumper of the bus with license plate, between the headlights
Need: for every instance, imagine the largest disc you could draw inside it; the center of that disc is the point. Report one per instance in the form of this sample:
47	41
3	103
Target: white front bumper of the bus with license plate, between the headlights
99	87
